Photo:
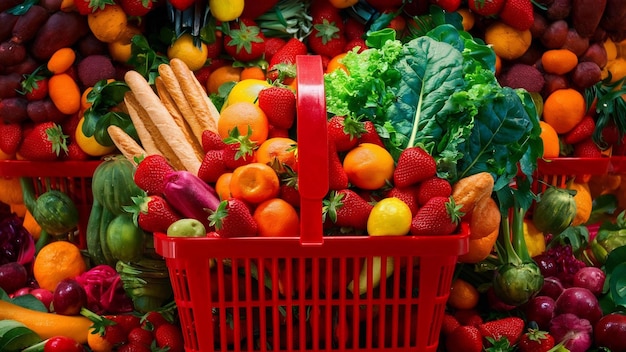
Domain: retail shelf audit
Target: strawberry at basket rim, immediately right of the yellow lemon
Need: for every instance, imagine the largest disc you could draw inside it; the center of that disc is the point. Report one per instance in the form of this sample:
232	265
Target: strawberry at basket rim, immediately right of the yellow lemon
439	216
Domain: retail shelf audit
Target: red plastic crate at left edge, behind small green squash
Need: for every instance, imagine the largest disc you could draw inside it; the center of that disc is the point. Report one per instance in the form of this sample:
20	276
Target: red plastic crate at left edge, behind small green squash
71	177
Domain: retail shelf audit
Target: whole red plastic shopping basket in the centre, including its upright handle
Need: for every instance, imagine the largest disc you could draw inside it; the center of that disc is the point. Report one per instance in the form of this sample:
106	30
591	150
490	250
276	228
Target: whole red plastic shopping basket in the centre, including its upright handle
291	293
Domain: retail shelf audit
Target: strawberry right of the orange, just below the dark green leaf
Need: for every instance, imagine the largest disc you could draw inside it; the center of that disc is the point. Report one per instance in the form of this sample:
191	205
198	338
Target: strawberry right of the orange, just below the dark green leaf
414	165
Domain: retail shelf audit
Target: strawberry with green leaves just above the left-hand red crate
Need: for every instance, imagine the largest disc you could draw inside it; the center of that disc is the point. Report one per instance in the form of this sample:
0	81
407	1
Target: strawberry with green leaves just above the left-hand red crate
43	142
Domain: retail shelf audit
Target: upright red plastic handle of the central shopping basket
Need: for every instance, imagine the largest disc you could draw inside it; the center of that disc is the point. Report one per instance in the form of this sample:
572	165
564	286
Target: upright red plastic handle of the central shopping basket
312	147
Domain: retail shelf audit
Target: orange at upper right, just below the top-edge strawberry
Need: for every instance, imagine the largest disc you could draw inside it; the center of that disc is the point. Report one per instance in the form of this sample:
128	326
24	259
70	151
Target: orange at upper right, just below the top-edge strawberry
507	42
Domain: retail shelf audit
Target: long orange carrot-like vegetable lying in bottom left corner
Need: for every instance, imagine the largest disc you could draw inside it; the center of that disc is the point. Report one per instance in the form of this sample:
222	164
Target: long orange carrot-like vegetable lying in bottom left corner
47	325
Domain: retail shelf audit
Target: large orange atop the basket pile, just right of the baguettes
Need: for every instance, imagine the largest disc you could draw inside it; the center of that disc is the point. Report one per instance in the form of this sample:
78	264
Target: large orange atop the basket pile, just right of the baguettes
241	116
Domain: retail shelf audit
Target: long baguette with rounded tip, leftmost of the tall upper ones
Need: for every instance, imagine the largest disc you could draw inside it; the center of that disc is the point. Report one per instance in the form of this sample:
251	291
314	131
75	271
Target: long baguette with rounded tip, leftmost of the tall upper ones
158	115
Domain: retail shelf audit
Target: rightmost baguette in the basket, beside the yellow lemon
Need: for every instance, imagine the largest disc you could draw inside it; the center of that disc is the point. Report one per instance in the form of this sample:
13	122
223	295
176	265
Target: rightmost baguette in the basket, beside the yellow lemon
206	114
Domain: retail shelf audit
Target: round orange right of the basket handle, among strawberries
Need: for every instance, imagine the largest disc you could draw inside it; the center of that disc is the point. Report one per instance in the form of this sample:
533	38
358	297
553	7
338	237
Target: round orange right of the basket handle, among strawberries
368	166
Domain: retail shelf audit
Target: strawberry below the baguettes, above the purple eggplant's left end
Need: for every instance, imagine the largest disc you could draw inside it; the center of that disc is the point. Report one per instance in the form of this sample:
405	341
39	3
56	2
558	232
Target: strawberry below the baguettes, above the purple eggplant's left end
150	174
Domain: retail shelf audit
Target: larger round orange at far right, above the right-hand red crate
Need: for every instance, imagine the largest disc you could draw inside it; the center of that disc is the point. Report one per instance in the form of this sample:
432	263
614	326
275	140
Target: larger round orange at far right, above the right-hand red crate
563	109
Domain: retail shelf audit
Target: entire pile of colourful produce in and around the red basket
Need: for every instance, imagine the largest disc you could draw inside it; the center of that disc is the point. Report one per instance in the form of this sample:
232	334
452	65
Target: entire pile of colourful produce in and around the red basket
438	112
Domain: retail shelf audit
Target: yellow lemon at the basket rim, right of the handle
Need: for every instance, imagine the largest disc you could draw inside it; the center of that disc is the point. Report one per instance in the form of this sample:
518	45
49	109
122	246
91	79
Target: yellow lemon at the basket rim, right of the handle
389	217
